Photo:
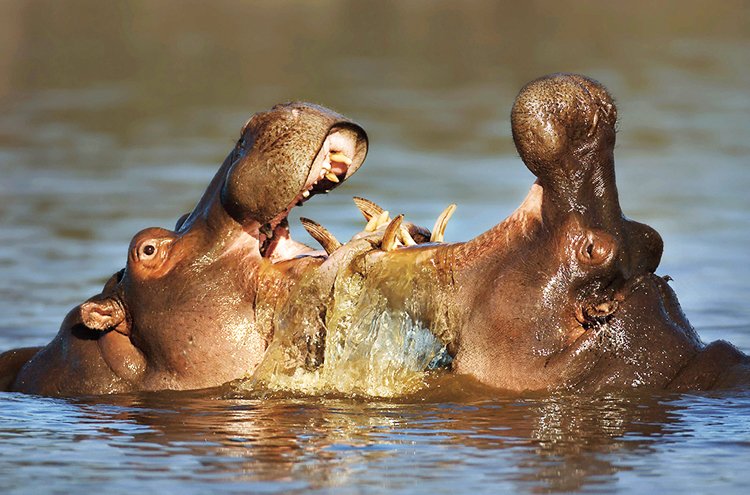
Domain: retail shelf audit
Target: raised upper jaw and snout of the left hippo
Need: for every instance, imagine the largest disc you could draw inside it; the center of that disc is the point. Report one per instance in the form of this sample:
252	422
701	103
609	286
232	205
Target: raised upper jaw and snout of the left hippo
283	157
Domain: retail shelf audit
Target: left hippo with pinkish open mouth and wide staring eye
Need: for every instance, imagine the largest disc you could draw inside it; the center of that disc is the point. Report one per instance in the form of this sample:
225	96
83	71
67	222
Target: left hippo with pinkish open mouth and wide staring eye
193	306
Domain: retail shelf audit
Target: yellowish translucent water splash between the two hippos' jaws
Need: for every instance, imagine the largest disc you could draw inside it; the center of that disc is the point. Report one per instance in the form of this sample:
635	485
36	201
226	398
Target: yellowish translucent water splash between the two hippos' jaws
357	335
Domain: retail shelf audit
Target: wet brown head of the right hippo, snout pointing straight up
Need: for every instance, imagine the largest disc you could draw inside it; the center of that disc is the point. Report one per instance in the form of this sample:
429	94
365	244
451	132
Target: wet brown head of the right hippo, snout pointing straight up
563	294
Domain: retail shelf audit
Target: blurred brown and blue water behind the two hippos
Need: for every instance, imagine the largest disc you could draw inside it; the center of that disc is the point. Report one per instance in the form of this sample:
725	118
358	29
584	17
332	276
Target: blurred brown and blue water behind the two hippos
115	115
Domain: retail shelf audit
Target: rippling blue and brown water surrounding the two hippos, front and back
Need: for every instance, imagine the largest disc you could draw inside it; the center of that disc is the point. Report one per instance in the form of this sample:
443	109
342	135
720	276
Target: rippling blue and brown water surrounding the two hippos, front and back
113	117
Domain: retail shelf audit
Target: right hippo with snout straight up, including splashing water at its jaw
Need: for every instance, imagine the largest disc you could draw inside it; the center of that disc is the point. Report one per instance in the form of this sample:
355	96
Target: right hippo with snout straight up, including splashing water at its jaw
561	295
